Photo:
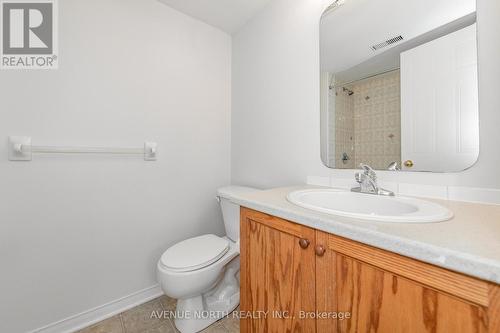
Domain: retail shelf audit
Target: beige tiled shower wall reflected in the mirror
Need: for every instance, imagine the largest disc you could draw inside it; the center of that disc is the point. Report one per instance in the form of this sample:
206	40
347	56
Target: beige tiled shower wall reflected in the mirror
367	116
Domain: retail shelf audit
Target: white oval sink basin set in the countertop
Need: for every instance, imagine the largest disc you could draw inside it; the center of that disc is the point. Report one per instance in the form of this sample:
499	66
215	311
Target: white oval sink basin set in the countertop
370	207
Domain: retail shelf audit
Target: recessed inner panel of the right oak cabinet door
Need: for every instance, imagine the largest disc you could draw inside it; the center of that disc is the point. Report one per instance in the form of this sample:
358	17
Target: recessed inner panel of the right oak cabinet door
383	302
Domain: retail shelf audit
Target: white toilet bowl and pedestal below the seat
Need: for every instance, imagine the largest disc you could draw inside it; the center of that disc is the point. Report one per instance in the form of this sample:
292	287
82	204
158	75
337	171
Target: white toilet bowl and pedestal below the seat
199	312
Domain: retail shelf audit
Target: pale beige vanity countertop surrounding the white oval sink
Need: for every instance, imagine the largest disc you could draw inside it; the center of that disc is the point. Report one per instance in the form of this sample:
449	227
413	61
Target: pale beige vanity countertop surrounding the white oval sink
469	243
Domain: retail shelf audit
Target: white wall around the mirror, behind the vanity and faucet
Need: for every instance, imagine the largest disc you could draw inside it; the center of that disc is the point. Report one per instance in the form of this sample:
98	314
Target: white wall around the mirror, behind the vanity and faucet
275	114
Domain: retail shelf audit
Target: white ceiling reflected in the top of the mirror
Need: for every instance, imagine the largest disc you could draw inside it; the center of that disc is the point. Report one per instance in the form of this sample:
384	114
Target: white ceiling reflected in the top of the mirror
348	32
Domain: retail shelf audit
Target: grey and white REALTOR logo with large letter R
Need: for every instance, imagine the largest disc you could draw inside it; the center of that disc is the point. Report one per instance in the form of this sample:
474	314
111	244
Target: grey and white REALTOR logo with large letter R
29	34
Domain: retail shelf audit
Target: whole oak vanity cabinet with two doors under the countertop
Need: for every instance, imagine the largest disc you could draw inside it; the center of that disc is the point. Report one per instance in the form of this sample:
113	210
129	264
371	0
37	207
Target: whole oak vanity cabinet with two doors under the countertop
297	279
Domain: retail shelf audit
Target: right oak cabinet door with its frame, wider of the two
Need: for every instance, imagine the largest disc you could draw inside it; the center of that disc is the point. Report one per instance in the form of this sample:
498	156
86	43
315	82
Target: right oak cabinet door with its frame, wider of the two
384	292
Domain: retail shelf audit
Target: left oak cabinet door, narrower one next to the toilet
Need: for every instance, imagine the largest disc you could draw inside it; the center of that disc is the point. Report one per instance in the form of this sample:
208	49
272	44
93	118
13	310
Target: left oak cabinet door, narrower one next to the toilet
277	274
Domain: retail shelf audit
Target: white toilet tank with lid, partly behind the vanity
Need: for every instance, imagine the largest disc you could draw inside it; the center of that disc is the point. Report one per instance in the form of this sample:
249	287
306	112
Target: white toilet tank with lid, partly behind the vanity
230	210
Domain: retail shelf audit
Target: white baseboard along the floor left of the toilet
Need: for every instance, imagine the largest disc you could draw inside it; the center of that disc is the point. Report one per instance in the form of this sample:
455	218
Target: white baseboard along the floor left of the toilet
87	318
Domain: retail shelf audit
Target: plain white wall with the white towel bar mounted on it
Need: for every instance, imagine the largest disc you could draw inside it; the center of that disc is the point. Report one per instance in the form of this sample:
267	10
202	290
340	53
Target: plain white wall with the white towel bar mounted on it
77	232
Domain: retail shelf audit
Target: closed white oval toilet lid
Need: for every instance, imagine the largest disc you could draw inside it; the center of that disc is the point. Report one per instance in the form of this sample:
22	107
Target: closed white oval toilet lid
195	253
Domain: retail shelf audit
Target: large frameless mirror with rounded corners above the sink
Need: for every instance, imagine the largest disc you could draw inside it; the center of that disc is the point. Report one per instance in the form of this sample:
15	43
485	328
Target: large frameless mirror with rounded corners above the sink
399	85
